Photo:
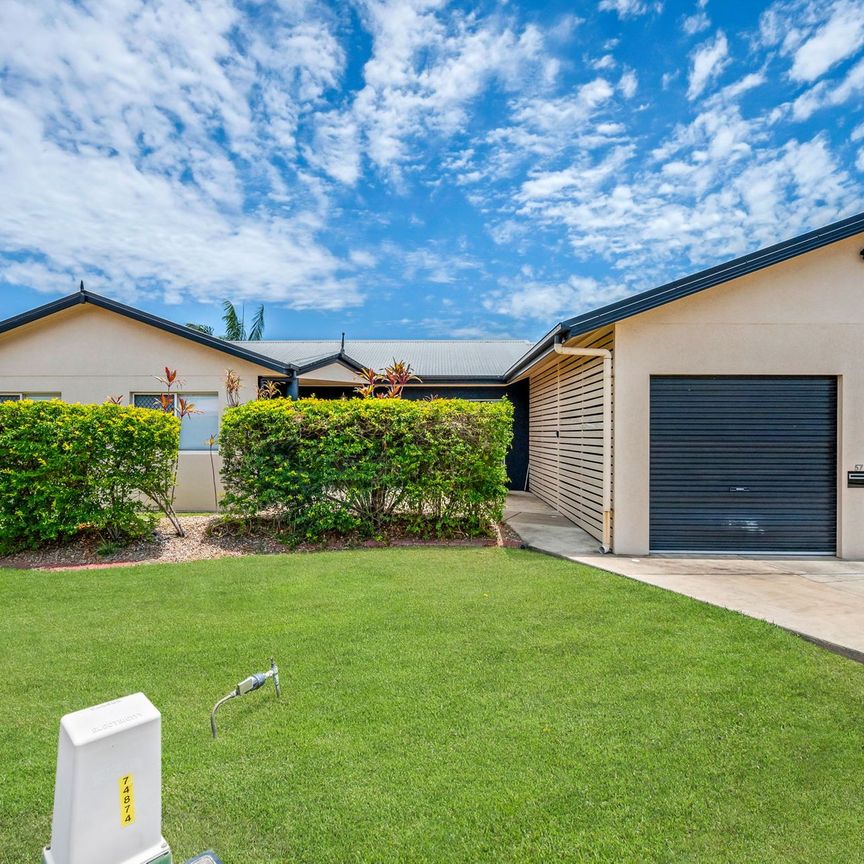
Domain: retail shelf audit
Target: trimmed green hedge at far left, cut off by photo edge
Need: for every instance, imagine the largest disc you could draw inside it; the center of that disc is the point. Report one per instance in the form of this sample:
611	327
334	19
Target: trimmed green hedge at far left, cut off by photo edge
68	468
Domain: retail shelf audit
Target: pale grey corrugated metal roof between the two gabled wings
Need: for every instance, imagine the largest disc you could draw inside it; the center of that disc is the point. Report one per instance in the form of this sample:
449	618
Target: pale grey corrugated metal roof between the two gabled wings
431	359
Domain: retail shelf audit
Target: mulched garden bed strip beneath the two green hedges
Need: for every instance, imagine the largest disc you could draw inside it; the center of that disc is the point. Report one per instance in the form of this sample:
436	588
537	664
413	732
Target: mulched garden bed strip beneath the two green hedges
200	544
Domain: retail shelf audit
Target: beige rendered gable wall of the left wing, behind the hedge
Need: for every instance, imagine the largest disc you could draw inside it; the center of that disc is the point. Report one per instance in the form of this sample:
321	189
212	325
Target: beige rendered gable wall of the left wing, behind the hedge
86	354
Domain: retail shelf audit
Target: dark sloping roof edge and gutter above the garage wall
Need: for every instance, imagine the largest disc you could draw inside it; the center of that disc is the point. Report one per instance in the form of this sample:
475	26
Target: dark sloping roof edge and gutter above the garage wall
660	296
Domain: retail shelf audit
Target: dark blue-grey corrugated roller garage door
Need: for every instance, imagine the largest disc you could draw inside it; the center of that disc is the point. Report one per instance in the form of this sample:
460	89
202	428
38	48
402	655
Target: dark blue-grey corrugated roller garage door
743	464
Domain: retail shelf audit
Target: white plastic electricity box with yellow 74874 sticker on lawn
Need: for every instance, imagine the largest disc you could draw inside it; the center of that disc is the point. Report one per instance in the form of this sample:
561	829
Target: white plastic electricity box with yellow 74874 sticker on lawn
108	791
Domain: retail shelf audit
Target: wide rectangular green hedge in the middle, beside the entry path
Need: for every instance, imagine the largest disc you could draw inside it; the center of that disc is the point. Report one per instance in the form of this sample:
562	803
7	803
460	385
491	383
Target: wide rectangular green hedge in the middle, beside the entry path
365	465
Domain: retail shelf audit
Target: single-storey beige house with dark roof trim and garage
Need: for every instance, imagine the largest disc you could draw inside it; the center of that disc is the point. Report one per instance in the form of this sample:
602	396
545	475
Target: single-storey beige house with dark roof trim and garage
720	413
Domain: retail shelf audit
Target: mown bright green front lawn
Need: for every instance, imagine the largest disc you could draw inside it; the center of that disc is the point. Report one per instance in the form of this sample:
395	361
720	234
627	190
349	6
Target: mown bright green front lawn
440	705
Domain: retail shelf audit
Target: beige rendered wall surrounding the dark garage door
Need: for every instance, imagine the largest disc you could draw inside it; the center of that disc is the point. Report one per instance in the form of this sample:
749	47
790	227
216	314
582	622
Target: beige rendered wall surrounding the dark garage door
802	317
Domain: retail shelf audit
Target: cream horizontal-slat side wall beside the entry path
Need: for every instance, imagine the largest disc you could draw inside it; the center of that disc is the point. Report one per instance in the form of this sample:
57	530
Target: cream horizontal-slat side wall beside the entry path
566	433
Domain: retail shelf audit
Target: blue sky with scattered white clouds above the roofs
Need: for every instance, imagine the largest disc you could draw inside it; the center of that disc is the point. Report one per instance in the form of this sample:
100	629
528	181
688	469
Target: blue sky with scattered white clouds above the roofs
414	168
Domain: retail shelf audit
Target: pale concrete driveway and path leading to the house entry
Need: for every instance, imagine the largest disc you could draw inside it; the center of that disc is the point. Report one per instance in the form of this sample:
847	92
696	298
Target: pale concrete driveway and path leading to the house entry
821	599
